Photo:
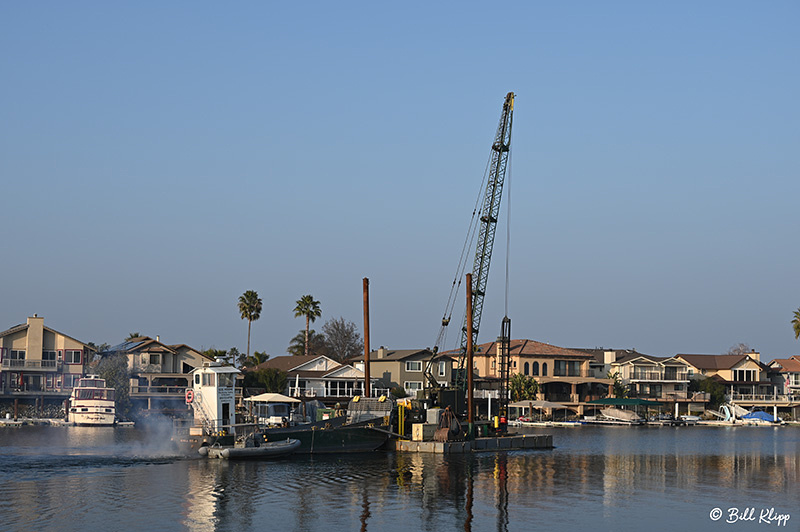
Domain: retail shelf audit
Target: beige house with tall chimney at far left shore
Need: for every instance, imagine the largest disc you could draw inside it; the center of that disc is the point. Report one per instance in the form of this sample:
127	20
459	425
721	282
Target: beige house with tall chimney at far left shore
40	363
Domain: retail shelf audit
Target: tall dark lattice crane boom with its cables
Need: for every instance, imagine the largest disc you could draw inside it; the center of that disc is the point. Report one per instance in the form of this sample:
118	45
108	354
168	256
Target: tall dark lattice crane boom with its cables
490	209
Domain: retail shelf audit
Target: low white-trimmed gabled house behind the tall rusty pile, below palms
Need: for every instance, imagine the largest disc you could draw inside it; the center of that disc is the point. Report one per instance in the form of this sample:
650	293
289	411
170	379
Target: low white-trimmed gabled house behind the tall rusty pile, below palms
320	377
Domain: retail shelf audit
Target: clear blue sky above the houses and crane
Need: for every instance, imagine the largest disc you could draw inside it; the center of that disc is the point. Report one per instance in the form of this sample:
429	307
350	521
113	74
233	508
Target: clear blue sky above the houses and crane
159	160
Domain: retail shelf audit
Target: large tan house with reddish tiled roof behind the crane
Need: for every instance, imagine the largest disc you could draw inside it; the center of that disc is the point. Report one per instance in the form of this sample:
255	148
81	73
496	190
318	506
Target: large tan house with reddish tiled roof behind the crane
564	375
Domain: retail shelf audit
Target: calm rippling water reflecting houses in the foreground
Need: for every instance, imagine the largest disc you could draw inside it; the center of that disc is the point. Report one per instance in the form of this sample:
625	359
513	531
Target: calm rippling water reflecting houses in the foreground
598	478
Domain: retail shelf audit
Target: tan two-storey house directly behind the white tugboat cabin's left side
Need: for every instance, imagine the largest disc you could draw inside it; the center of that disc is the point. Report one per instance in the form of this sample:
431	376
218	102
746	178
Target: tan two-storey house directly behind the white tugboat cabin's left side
159	373
